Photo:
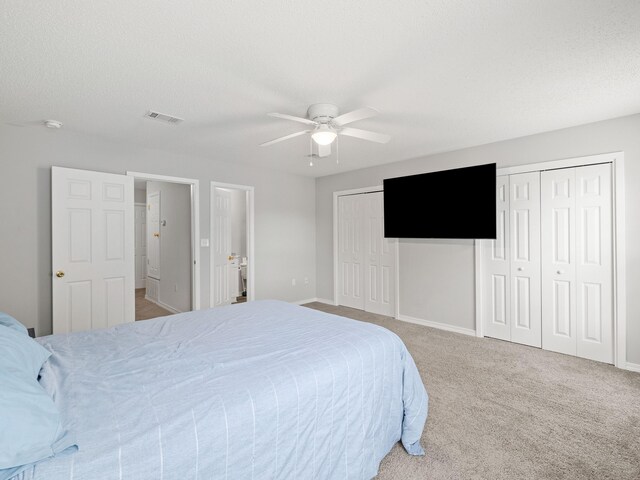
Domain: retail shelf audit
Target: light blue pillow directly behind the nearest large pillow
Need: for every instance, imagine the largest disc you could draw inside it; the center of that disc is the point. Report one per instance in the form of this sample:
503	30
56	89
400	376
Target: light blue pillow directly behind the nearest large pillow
20	353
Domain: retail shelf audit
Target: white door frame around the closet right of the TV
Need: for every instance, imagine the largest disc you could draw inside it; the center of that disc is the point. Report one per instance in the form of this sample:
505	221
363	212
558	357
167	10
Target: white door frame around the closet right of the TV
616	159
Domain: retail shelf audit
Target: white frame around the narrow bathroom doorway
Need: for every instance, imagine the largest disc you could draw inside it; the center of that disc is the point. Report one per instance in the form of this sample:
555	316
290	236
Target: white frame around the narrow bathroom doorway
251	255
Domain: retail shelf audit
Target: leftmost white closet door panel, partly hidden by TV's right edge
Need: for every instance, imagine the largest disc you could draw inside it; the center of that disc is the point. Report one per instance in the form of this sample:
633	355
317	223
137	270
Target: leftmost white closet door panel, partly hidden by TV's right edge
496	270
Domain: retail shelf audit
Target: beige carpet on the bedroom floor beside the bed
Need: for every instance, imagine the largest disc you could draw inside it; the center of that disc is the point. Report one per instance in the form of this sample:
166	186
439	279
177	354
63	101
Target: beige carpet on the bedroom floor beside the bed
498	410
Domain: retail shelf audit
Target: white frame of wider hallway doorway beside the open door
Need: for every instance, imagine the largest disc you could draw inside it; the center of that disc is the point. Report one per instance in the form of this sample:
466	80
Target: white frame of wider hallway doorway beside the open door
195	226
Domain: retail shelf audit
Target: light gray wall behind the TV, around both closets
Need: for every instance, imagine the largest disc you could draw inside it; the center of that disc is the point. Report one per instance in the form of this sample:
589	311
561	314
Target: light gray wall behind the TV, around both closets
437	277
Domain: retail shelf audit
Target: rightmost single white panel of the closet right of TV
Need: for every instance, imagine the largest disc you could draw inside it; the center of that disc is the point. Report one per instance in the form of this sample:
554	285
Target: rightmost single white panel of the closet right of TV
594	263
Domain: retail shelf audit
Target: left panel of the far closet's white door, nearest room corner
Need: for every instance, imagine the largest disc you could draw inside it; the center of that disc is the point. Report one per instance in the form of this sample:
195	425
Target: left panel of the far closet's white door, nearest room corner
351	251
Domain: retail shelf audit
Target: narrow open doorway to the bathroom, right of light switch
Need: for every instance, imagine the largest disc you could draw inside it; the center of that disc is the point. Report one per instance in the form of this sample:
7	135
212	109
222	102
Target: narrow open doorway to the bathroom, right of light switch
232	252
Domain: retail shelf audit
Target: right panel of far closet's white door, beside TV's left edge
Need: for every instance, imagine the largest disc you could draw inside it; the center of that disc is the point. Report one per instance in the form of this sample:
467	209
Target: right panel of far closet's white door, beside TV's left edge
379	286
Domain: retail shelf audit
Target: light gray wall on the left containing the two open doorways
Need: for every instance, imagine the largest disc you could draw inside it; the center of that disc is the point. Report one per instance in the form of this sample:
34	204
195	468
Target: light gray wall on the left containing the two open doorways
284	210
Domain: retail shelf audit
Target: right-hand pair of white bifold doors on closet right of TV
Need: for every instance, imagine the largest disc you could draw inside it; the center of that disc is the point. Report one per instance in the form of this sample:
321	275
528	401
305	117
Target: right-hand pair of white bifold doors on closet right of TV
577	265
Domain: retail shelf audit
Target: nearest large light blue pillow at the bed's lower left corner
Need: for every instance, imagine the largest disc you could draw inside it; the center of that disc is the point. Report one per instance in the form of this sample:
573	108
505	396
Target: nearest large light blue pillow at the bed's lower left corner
30	425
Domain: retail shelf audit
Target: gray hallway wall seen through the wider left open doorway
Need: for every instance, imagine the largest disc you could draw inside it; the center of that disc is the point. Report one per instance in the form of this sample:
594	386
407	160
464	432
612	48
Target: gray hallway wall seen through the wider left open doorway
175	244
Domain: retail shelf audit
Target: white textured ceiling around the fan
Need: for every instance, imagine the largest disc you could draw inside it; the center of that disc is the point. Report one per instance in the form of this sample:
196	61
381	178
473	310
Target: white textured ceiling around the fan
444	74
